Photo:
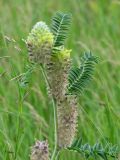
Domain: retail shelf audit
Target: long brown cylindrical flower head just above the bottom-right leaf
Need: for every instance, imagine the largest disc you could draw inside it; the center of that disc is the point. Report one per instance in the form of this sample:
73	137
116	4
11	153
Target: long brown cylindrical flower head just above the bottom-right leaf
67	121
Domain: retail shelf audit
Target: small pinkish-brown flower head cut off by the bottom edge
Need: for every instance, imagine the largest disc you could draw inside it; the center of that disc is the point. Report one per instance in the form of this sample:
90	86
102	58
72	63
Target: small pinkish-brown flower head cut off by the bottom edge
40	151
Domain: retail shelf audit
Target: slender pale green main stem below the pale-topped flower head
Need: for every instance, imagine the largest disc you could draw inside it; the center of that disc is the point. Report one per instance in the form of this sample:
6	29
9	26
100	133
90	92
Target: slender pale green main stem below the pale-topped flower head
55	152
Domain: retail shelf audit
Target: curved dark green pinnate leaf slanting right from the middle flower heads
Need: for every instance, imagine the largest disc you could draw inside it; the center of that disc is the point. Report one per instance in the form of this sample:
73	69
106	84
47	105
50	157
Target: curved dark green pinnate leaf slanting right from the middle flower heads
80	77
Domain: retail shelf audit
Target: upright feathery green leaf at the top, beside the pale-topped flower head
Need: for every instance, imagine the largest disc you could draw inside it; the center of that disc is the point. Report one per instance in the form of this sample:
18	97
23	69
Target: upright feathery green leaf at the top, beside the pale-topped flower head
60	27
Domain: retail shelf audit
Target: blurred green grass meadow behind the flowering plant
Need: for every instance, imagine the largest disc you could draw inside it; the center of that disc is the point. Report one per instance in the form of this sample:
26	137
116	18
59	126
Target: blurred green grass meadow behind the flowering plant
95	27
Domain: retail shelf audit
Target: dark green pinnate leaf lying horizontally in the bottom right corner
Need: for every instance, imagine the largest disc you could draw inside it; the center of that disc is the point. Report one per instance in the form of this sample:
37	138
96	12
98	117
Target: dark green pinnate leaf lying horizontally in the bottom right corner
94	151
